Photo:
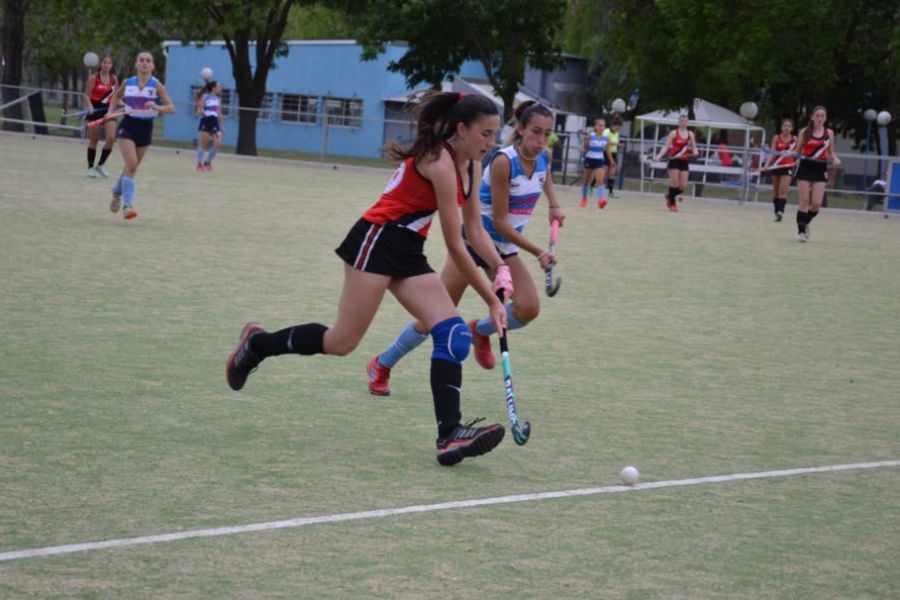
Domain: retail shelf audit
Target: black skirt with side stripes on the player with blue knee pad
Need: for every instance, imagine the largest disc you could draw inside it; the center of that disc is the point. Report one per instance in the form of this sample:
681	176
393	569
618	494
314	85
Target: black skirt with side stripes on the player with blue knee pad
384	249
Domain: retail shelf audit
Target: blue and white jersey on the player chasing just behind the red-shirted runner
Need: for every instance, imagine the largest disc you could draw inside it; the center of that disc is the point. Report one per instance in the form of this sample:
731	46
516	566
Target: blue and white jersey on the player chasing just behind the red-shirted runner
524	193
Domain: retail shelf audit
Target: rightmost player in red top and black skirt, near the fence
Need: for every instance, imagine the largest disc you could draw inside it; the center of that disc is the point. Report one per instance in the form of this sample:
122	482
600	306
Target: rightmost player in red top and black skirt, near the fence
816	145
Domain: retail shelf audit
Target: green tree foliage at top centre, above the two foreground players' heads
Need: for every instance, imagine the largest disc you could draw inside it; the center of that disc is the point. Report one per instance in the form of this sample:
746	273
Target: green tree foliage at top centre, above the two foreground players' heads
502	35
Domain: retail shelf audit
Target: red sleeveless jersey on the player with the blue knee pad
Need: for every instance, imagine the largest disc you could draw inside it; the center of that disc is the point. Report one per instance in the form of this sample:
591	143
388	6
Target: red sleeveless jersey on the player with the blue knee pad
409	200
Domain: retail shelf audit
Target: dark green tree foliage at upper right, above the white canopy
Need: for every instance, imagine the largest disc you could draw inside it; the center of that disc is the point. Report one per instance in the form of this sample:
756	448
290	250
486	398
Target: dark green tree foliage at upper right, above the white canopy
786	55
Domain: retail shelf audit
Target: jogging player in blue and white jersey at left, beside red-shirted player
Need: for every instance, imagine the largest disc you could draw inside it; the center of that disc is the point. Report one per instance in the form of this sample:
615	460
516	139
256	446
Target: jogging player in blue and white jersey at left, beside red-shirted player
144	96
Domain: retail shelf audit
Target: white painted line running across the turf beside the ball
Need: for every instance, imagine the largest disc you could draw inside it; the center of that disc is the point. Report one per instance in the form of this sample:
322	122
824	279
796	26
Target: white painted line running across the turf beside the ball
423	508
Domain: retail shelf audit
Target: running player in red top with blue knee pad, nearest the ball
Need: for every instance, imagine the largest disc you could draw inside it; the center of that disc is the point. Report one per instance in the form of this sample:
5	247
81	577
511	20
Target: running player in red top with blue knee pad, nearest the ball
384	252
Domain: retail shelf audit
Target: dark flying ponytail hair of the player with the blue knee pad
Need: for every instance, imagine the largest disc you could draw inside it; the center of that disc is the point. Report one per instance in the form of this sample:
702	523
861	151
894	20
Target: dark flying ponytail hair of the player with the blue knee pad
437	116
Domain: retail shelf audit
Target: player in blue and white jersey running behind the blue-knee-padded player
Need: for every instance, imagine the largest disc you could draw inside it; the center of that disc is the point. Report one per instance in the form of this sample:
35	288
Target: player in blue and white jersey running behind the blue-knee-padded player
510	189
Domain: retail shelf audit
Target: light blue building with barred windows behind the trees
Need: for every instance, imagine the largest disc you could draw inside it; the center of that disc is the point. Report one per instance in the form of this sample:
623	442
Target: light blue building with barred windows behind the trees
320	95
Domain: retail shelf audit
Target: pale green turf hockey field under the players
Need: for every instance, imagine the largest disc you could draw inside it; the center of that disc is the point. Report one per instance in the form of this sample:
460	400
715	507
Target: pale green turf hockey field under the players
707	342
